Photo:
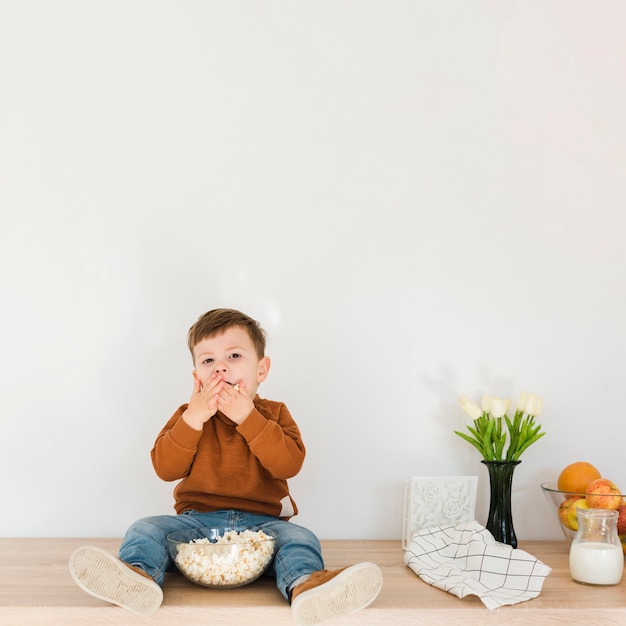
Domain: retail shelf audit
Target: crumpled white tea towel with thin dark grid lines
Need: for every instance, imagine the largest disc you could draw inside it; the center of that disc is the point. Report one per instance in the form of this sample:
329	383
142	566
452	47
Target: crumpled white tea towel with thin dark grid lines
467	560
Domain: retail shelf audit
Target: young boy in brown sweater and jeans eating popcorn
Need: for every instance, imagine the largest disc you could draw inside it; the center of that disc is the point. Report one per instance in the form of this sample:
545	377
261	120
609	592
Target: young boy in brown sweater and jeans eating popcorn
234	452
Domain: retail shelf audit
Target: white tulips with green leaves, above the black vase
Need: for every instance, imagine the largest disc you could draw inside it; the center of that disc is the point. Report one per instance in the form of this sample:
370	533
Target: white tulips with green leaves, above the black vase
487	433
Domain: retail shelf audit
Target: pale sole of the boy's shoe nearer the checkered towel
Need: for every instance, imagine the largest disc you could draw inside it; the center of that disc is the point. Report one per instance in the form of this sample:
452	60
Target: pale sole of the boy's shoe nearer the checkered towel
351	590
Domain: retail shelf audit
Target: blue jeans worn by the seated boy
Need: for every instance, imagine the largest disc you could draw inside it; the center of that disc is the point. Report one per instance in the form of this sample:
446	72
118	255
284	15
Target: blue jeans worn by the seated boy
298	550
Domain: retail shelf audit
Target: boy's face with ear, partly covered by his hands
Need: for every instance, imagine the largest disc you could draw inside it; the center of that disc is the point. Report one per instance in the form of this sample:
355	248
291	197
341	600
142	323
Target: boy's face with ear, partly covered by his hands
232	356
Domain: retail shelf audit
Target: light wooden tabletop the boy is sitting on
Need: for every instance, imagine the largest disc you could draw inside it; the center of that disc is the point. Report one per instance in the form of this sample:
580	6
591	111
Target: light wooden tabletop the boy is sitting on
36	590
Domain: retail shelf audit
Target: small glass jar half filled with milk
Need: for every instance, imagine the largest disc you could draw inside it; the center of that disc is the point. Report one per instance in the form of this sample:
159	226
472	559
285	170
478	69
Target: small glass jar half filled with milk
596	556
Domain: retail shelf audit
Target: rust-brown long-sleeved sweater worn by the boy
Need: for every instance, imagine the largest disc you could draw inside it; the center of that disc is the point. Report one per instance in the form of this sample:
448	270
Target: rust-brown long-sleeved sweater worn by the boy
225	466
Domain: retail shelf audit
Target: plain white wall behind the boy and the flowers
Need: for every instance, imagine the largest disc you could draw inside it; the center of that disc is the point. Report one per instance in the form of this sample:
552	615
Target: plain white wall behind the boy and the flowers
417	199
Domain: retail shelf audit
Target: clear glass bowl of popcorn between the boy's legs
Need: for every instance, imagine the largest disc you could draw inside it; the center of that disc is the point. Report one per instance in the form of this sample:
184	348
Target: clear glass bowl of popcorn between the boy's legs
221	557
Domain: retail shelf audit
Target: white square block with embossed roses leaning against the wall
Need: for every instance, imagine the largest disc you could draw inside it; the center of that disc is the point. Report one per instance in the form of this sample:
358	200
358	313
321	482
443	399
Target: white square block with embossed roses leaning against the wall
438	501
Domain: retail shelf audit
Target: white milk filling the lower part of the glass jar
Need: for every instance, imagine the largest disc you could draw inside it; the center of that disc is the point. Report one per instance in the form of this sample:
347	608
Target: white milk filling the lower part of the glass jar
596	563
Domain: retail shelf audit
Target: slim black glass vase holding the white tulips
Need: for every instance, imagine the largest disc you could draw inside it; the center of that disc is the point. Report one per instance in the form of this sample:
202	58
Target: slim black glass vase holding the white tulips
500	520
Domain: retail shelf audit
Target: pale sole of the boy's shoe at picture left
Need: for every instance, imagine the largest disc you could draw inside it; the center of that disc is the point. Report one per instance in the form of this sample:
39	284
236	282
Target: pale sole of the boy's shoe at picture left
104	576
